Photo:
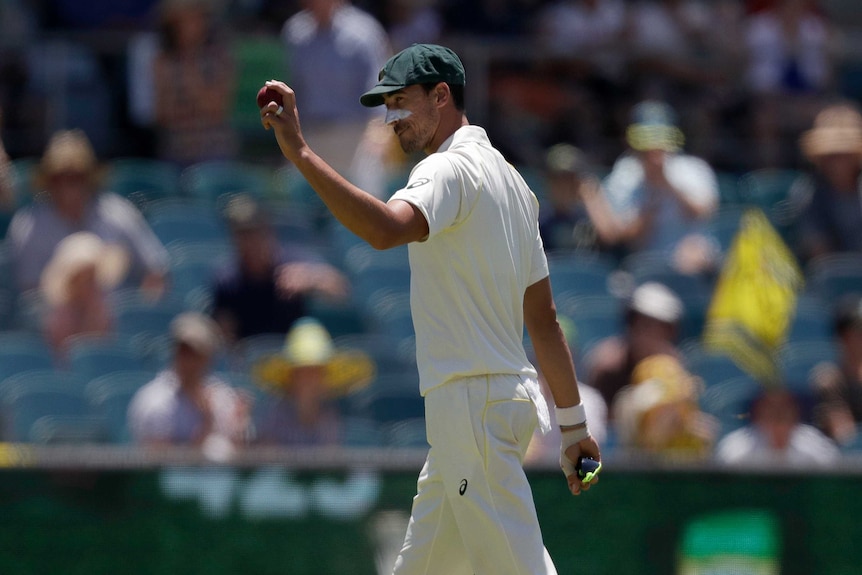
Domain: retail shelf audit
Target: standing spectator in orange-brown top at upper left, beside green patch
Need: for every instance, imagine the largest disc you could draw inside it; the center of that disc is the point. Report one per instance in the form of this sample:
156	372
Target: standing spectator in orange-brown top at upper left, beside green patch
194	85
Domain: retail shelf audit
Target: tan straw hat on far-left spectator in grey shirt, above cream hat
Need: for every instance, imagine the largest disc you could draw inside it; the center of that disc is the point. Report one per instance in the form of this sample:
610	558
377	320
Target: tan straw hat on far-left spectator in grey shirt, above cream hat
68	151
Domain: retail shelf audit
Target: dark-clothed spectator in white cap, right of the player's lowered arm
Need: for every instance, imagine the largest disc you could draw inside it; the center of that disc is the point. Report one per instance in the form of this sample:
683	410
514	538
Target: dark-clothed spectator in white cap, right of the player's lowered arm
652	319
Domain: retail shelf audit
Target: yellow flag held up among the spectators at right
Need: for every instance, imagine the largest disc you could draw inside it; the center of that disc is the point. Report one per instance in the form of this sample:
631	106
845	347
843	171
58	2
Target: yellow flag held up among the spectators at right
755	298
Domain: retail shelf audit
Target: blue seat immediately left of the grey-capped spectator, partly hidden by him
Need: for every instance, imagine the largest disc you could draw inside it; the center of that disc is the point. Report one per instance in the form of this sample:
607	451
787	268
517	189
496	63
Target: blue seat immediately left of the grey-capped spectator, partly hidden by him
108	397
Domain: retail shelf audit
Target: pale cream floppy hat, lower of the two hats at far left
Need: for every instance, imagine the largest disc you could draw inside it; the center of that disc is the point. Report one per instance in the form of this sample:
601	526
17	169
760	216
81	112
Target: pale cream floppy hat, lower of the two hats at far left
79	251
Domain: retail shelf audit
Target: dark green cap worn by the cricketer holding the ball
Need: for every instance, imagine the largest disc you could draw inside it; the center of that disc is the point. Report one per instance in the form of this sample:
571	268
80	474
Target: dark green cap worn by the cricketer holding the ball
418	64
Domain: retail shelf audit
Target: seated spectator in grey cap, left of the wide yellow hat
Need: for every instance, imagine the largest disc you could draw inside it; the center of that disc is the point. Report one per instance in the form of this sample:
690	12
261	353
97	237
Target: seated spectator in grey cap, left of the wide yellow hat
185	404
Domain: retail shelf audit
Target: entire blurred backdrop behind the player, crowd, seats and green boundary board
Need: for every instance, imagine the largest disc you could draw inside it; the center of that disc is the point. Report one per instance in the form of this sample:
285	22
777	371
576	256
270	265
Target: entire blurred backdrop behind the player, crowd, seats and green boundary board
201	370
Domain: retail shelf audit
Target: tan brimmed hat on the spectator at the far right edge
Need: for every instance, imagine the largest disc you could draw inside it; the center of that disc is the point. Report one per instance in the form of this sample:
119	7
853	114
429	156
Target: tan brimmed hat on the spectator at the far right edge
837	130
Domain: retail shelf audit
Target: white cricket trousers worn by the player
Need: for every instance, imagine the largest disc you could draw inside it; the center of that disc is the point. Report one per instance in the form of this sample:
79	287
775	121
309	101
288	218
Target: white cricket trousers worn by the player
473	513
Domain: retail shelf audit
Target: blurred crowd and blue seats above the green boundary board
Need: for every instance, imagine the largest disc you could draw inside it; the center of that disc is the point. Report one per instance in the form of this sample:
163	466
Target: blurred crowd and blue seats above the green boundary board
166	279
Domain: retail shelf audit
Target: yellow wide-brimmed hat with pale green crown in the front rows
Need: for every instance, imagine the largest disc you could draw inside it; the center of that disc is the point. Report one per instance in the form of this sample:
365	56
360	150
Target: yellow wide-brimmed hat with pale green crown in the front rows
309	344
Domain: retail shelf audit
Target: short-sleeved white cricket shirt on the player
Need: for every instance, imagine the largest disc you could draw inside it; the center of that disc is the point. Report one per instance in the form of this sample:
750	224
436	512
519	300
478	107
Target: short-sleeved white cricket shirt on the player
469	275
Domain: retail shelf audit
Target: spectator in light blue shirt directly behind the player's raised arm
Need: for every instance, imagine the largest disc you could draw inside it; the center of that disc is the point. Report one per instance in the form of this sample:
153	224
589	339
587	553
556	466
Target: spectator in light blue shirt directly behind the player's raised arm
351	46
